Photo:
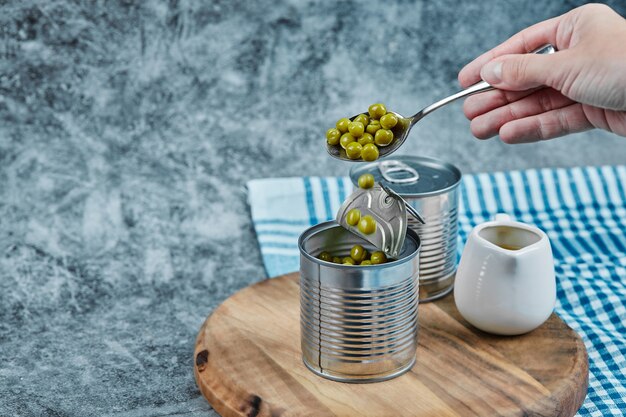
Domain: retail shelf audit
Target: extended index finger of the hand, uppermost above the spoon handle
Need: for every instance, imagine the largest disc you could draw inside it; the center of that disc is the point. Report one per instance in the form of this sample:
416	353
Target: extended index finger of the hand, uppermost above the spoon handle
522	42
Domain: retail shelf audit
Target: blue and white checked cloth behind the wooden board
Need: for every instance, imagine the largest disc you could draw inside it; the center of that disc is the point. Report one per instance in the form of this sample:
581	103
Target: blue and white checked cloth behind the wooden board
583	211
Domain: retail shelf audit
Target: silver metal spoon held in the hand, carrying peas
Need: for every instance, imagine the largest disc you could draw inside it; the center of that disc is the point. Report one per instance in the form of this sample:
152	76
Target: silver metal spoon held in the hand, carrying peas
402	129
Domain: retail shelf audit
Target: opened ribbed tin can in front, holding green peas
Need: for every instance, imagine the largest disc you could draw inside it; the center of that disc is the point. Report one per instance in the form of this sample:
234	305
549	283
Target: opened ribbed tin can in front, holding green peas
358	323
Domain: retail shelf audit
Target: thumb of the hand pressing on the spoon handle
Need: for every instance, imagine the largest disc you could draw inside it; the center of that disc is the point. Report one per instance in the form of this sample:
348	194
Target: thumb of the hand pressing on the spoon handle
520	72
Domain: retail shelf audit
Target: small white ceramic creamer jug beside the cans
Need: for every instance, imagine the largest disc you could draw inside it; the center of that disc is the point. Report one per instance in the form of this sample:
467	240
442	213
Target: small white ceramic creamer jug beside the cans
505	281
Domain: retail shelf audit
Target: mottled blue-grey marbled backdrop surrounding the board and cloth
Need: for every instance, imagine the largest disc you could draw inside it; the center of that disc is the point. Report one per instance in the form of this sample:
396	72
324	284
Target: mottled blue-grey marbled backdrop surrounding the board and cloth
128	131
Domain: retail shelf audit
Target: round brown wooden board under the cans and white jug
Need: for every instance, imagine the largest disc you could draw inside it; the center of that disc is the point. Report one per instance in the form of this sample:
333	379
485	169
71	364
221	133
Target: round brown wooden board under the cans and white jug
247	363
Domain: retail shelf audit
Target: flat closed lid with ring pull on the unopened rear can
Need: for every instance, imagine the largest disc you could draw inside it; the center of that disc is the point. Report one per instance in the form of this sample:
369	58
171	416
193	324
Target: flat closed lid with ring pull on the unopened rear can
411	176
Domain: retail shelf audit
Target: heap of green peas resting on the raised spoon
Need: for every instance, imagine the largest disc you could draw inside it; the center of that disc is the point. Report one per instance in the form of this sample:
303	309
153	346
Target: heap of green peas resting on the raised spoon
362	137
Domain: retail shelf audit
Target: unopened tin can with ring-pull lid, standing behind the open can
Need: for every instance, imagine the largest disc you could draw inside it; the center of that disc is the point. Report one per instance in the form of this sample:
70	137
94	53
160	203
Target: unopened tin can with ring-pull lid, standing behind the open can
431	187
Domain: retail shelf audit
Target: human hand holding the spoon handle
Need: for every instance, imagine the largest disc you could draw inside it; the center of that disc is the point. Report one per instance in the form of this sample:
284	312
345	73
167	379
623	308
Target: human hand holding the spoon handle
580	87
